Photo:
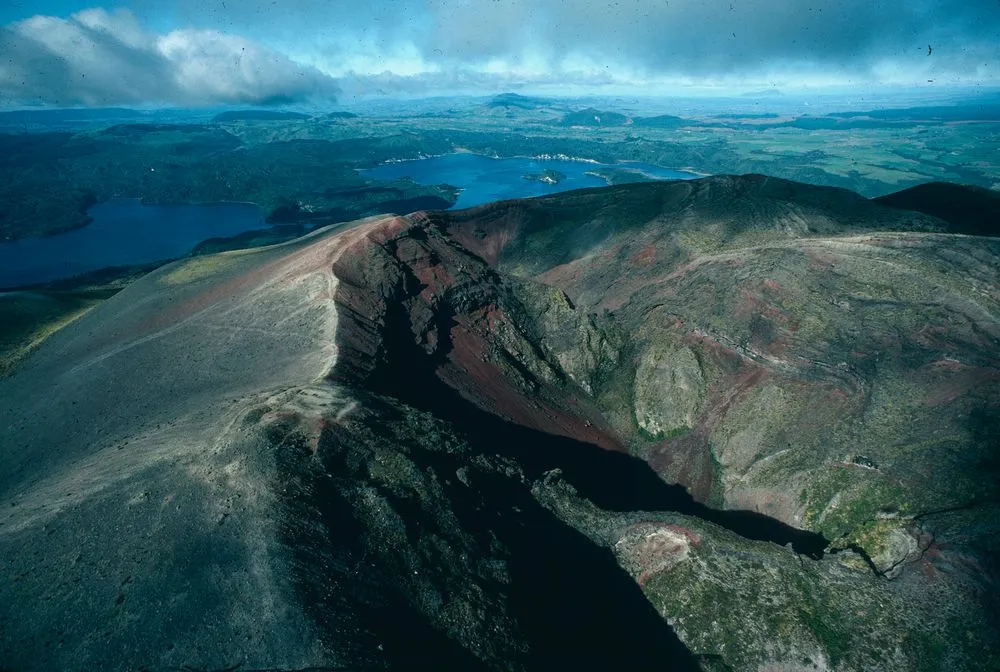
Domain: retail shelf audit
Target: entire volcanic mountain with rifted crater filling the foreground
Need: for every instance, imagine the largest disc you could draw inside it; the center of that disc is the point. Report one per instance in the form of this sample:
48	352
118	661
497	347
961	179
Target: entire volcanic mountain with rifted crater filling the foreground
562	431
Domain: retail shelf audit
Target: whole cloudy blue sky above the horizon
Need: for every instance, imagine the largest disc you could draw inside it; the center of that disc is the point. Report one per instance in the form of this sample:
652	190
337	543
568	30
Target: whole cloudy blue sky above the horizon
273	52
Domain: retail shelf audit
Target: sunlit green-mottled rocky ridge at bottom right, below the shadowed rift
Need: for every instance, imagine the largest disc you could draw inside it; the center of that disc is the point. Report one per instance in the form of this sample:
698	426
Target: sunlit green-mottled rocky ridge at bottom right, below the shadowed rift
750	605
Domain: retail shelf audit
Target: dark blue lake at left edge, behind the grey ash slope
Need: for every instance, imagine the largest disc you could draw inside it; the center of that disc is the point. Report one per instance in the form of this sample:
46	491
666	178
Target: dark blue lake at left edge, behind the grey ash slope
123	232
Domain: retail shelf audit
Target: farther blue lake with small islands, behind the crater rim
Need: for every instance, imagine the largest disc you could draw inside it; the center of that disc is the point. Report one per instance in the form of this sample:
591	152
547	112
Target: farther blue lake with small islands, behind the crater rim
483	179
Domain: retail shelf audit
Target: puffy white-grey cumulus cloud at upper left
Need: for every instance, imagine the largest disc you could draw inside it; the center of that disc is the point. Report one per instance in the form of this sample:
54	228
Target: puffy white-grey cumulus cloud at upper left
97	57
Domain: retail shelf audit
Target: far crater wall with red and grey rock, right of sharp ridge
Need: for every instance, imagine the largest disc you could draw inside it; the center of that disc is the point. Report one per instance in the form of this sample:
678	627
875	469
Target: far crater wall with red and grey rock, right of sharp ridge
770	346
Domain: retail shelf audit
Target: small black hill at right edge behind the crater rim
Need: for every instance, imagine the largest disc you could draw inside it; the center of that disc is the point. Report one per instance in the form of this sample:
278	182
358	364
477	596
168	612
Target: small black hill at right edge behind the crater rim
967	209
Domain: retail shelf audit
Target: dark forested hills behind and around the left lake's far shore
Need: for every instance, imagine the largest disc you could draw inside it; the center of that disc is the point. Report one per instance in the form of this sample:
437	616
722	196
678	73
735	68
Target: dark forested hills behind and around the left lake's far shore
47	181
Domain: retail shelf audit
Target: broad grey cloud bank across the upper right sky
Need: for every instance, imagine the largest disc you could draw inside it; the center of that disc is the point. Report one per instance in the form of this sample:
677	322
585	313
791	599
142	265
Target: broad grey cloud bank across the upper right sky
723	38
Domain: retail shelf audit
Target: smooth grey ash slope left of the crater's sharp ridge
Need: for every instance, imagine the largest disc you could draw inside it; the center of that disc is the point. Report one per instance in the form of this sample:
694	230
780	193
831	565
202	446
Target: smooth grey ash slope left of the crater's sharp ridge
139	522
